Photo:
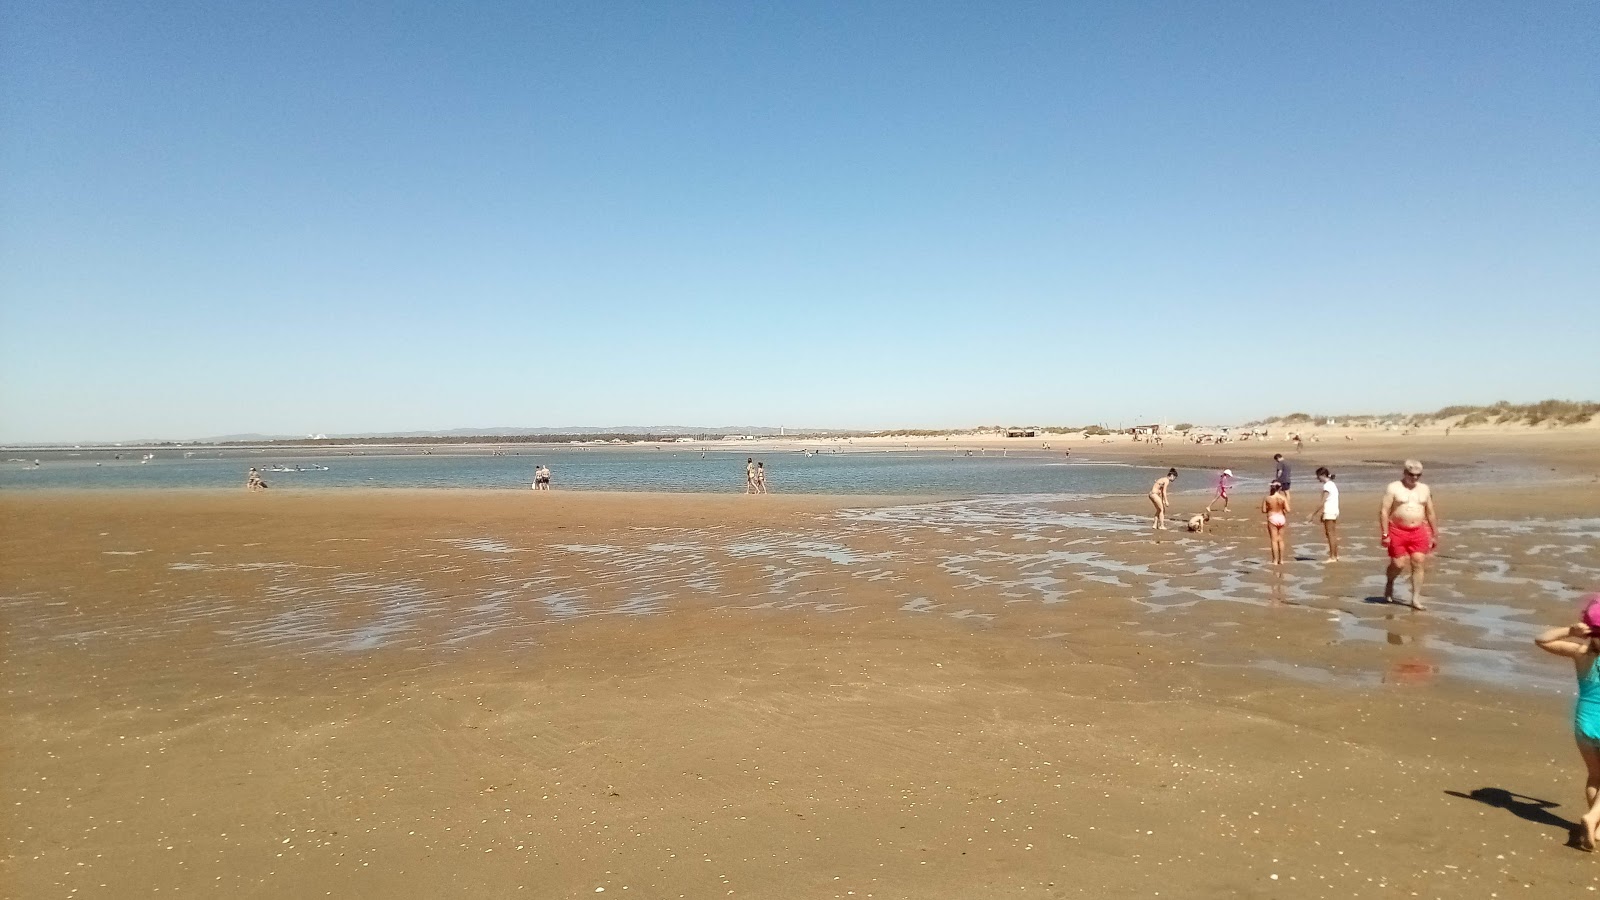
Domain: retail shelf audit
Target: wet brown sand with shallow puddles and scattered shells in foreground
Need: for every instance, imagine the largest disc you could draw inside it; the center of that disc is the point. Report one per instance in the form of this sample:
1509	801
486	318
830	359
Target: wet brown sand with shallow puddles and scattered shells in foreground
415	694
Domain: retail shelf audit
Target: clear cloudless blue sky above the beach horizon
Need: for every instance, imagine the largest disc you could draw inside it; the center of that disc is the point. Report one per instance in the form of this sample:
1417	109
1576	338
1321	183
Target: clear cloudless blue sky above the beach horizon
295	219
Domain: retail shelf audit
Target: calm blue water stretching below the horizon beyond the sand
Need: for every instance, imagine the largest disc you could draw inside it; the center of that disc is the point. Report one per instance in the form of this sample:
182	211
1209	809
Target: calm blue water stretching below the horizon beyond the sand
790	472
